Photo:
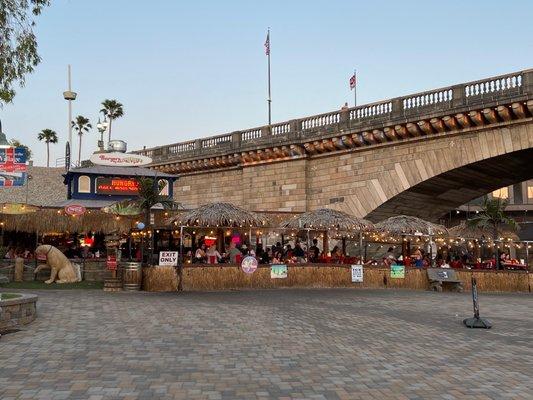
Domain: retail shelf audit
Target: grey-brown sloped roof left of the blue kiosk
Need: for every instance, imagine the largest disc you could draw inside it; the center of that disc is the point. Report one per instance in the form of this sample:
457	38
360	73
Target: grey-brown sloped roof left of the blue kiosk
45	188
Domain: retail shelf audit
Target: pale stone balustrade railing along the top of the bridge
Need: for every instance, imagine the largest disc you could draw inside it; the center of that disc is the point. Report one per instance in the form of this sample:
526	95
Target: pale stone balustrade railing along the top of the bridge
467	94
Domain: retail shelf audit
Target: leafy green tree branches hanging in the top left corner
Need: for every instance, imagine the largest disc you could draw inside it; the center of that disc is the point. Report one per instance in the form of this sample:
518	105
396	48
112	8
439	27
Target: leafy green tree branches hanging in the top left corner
18	43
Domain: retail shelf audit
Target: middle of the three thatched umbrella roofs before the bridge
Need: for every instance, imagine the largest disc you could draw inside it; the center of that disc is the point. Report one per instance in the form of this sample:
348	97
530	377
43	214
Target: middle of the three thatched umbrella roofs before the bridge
327	219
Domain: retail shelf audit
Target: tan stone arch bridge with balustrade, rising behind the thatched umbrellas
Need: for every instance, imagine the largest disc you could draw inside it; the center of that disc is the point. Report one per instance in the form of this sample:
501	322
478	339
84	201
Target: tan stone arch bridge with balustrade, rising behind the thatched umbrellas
421	154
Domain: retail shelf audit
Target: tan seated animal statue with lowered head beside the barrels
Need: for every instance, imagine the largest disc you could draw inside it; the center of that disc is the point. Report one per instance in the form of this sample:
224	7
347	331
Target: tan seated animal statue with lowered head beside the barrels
62	268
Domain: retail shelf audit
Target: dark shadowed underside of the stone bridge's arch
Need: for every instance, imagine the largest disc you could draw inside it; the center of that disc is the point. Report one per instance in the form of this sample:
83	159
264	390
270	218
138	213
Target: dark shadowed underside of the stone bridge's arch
436	196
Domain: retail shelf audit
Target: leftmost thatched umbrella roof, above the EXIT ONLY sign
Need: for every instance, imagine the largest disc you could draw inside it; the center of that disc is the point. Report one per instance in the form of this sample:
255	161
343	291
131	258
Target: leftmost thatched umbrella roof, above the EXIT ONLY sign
220	215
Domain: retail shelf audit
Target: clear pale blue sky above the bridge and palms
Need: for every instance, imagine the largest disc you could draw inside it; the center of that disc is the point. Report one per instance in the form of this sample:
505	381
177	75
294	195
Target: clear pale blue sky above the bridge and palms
185	70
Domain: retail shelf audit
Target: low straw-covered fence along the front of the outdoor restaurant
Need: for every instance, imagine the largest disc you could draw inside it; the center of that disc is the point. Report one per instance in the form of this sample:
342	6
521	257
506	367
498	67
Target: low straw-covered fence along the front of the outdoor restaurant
228	277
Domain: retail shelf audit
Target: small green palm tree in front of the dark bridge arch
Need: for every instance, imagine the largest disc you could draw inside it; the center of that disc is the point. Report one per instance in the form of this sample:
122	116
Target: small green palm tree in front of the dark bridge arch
492	218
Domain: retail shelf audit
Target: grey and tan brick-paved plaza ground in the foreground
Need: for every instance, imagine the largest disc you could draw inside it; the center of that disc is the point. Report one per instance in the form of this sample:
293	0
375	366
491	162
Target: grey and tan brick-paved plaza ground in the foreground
283	344
